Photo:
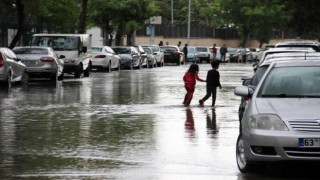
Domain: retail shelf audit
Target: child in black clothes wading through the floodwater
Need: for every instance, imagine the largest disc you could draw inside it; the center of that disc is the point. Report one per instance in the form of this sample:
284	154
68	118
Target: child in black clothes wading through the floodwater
213	81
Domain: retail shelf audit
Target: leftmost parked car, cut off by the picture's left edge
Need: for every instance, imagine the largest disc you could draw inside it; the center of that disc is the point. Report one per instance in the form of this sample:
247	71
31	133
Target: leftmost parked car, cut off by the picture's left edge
12	70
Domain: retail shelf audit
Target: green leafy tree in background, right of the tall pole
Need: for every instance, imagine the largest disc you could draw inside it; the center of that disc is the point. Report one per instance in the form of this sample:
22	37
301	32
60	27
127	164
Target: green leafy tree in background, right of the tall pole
251	17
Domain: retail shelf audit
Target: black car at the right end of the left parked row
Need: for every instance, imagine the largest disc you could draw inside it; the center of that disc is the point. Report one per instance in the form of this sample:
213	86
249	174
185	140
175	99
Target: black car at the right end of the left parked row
172	54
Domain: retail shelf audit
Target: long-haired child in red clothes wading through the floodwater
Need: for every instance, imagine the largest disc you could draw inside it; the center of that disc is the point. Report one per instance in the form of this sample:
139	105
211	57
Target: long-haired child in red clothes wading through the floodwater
189	79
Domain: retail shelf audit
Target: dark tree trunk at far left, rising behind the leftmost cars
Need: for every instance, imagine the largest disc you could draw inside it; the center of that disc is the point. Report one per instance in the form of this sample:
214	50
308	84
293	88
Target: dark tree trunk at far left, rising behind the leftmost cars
17	37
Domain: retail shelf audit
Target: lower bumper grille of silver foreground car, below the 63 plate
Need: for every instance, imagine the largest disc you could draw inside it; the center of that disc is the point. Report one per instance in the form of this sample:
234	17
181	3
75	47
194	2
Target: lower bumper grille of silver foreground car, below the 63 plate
303	152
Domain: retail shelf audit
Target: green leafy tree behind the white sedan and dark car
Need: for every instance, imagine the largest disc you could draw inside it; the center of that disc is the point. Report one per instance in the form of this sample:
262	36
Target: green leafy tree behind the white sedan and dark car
122	17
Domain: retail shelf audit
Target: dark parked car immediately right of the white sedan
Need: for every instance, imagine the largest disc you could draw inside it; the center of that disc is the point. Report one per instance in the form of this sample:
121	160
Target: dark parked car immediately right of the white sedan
129	57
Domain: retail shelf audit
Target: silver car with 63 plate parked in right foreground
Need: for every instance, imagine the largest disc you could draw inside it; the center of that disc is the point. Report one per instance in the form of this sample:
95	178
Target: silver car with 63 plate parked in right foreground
281	121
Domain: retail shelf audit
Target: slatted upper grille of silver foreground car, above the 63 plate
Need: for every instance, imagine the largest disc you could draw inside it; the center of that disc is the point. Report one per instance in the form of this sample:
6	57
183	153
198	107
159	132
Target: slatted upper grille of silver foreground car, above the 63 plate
308	126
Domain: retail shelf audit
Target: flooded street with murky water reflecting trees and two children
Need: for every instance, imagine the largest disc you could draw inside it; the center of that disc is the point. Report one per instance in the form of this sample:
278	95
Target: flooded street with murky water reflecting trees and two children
122	125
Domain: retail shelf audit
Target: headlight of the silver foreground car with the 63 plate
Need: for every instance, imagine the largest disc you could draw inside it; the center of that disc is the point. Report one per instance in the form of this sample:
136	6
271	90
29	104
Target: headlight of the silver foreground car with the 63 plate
267	122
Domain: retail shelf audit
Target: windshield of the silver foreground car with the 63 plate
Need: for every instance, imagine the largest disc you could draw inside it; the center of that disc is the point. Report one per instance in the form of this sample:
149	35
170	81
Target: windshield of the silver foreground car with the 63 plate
292	82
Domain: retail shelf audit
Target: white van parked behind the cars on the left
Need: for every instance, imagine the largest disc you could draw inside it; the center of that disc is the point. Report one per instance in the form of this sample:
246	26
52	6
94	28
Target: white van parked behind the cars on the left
75	47
